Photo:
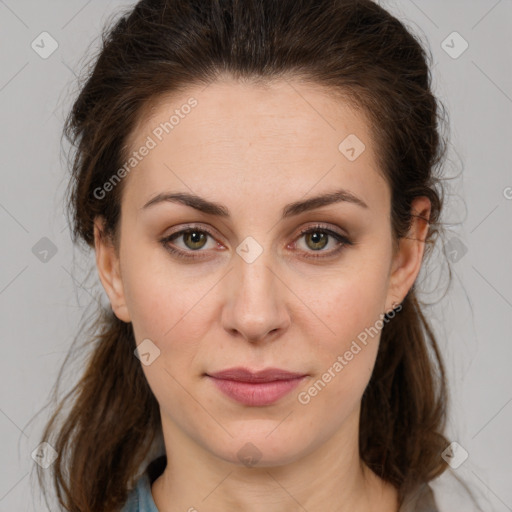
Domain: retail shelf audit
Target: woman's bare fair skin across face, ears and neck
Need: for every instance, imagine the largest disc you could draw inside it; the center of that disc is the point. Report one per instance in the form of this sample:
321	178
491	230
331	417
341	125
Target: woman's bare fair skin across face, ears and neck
255	149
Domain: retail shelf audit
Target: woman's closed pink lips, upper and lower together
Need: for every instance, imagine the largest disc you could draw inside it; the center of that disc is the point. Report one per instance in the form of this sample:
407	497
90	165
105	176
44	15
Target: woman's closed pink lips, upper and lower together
258	388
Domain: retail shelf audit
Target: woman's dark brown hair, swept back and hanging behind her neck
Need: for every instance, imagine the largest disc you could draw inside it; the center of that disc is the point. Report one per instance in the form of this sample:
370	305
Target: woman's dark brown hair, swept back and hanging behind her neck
354	48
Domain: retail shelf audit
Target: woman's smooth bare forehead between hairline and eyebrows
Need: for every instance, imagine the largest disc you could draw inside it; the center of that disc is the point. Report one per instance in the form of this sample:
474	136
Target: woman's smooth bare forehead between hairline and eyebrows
240	139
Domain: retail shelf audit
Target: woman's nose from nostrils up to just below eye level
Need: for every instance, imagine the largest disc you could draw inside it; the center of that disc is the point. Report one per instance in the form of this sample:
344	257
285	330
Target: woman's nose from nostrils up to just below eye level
255	308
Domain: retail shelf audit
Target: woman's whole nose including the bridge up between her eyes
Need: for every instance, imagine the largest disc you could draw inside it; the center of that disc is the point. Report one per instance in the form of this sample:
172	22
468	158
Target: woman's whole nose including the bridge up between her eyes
255	304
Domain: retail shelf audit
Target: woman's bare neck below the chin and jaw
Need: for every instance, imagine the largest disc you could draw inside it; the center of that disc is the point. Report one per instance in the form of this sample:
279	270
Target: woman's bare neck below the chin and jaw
327	477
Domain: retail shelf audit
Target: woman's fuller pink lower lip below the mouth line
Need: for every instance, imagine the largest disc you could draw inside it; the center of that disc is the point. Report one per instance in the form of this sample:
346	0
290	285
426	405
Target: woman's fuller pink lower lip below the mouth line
256	394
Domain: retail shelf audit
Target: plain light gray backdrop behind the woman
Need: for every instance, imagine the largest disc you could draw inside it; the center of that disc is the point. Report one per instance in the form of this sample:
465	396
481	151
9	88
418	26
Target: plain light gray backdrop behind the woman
42	302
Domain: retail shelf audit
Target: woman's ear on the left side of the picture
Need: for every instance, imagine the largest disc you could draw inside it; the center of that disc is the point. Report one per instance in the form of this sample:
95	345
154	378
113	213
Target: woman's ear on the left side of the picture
107	262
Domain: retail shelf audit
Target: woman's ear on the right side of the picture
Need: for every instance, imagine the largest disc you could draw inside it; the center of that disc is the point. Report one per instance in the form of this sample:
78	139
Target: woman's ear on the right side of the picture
408	257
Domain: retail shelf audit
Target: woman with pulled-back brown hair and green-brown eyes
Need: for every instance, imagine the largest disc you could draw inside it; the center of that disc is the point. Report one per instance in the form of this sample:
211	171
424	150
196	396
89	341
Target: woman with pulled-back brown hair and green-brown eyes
258	181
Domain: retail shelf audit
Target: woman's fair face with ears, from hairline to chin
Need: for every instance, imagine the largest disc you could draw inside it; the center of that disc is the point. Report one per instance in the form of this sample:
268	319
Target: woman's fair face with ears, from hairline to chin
249	288
